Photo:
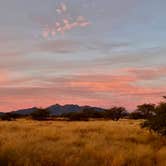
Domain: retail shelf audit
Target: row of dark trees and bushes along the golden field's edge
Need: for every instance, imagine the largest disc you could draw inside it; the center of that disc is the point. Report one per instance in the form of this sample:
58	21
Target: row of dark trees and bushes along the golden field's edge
154	115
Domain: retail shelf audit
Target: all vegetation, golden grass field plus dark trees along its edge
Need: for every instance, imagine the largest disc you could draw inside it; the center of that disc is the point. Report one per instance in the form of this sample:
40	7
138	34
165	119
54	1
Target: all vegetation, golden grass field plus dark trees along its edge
112	137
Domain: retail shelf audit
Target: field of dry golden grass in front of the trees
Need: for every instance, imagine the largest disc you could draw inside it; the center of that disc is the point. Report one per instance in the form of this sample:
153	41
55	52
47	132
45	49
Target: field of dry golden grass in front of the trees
93	143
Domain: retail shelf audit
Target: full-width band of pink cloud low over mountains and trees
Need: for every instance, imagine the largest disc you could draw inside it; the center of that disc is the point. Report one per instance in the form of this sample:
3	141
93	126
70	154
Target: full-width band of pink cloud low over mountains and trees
103	90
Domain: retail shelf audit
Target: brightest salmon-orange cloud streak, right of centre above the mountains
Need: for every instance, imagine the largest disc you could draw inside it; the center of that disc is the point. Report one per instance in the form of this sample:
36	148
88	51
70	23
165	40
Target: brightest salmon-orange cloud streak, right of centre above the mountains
123	84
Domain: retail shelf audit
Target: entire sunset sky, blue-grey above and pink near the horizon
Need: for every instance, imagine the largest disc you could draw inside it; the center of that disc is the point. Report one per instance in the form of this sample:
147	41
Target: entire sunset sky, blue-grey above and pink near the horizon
87	52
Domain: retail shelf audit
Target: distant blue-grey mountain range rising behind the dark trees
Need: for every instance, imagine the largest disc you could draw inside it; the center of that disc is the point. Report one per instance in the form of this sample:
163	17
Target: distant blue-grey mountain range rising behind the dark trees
58	109
